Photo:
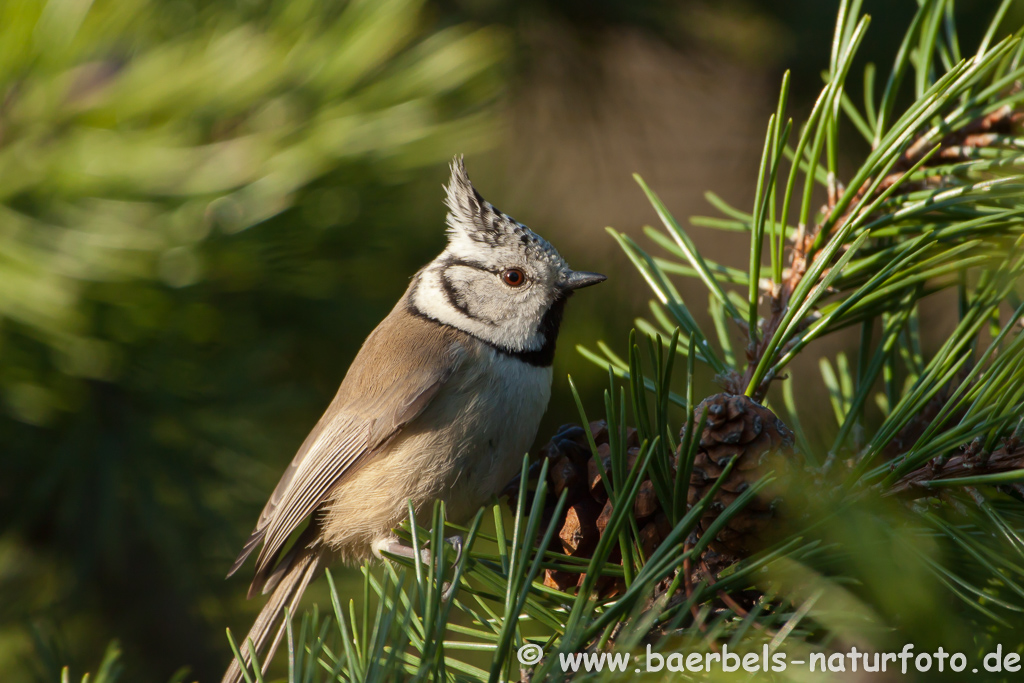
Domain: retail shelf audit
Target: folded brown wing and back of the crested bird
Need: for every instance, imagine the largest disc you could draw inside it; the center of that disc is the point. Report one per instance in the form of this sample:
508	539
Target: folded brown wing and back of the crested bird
401	368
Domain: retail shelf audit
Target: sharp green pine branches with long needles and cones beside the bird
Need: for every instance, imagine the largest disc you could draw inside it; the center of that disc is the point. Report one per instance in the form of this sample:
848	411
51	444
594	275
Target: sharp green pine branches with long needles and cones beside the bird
912	509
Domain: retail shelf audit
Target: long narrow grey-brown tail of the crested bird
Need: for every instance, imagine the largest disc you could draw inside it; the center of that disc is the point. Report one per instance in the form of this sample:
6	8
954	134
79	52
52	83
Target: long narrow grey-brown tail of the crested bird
288	583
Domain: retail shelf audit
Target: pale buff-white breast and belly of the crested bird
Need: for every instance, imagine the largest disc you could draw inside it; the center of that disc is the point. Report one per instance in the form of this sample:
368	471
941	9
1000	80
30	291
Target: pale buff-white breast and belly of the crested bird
463	449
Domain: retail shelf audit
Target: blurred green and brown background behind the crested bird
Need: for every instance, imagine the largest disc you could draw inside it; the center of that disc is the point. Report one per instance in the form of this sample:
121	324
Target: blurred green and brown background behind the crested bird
206	206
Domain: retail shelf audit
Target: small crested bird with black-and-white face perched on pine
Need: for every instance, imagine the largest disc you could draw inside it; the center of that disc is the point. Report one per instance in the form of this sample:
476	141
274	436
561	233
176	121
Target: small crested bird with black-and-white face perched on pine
442	403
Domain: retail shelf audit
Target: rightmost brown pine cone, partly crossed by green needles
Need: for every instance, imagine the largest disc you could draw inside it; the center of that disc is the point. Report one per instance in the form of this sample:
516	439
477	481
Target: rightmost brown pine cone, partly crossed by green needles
737	428
